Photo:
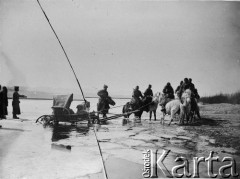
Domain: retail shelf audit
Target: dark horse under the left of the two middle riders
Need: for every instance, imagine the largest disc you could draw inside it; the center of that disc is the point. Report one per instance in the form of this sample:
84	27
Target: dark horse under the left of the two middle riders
136	105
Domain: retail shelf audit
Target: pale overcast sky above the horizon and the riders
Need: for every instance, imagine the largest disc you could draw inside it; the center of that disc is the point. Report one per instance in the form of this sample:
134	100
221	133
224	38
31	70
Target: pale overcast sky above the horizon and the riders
121	44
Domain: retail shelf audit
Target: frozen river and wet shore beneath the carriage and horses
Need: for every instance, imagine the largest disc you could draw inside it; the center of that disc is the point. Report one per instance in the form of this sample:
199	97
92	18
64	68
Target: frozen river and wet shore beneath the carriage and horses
28	150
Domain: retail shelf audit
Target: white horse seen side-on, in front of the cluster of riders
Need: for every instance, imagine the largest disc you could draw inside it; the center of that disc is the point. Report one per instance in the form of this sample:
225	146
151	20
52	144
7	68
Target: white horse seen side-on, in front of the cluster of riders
173	106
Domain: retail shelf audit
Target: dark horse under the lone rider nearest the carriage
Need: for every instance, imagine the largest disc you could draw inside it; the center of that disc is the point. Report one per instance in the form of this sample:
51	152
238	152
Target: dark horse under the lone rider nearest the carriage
103	105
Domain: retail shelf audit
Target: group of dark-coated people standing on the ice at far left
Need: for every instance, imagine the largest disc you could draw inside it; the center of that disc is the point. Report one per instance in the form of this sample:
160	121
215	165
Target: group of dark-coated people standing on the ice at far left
4	102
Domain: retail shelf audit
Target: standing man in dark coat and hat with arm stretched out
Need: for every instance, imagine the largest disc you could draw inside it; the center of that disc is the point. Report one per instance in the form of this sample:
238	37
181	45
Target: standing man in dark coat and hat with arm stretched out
15	102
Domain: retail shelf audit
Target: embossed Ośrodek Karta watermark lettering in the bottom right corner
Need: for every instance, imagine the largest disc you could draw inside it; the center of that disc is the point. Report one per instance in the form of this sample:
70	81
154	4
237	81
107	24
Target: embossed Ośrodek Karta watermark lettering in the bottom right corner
152	163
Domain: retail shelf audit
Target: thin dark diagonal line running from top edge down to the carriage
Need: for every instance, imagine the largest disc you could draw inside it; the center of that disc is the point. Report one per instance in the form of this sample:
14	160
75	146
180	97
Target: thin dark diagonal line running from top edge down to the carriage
62	49
